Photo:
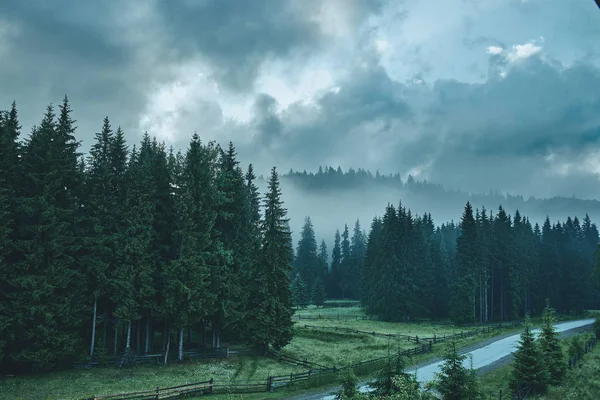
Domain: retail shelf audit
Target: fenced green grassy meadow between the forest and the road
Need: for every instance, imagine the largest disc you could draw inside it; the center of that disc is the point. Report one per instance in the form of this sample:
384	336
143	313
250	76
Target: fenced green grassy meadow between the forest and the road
322	347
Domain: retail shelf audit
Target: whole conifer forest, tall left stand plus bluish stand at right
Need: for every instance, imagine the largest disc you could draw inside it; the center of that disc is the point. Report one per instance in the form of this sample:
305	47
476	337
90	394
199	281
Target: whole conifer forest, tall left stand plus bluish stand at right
140	247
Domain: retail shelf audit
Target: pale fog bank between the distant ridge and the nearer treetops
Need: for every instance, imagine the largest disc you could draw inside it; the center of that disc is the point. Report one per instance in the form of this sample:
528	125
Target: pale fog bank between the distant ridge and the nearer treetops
331	209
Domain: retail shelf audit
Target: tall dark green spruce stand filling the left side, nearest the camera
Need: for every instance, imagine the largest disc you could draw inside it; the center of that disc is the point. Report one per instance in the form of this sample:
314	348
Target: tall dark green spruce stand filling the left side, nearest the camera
131	248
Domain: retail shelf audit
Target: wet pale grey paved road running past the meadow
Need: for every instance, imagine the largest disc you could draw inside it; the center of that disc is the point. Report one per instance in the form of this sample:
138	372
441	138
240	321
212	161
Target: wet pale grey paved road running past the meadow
493	352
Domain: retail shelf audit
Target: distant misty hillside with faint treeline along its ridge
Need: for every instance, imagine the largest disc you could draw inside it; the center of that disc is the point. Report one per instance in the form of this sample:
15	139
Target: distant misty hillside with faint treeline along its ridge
333	197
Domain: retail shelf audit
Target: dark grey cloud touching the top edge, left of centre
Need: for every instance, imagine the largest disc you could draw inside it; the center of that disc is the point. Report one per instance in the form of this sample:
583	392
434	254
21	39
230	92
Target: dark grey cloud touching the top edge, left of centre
237	36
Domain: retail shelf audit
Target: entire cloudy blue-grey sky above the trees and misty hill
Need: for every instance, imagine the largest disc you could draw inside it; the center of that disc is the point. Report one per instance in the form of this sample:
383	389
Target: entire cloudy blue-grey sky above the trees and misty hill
475	94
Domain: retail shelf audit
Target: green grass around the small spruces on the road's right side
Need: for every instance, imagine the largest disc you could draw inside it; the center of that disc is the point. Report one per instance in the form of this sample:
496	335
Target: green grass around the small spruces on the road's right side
581	382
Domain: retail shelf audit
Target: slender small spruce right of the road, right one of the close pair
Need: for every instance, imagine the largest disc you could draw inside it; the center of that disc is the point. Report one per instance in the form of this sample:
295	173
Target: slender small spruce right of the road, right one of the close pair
554	358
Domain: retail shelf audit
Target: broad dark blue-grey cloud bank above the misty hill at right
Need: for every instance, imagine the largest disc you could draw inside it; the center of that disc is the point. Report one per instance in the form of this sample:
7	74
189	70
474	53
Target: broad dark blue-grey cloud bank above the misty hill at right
495	134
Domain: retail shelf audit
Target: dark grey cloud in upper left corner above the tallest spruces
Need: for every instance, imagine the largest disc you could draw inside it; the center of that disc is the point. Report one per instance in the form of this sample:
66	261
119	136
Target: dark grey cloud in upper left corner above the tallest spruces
65	47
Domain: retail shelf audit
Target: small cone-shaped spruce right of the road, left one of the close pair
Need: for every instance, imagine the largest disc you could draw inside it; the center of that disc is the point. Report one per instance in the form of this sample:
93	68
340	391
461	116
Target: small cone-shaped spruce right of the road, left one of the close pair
529	375
